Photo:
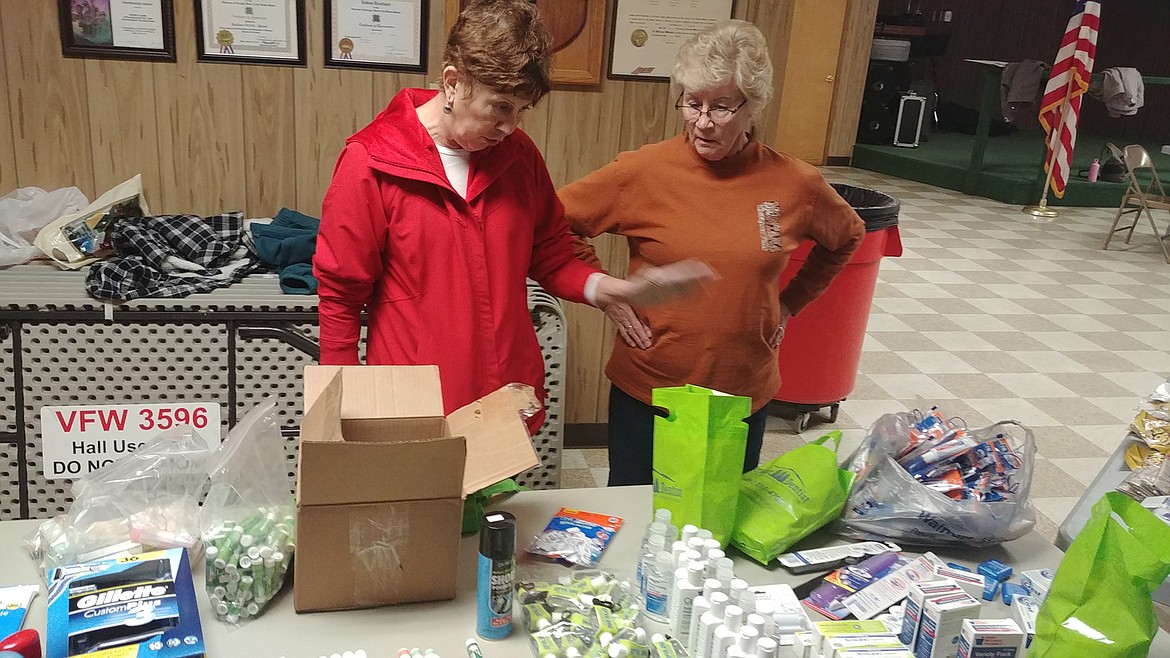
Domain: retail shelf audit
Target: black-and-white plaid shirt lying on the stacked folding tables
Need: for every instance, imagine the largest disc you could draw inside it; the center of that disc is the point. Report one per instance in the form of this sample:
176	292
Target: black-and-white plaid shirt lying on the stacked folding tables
173	257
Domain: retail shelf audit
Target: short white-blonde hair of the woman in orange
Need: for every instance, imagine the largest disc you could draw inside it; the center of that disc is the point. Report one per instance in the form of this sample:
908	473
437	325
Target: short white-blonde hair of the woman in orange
731	51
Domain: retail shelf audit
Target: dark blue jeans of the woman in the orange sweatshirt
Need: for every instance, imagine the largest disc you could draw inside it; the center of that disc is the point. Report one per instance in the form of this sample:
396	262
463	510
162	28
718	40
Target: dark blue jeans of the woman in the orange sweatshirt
632	440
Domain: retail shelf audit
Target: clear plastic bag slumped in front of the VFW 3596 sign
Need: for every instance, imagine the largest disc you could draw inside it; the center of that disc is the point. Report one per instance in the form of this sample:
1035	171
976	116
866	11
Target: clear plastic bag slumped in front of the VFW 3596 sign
146	501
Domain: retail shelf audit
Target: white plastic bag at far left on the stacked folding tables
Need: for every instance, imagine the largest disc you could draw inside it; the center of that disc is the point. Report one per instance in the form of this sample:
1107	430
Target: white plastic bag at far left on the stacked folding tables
24	213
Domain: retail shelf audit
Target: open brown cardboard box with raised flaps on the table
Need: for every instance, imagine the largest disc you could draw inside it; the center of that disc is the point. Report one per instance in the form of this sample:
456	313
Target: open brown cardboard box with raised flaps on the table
382	482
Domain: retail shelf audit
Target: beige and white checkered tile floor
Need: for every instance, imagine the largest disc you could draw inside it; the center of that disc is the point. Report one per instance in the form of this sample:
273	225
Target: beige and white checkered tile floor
993	314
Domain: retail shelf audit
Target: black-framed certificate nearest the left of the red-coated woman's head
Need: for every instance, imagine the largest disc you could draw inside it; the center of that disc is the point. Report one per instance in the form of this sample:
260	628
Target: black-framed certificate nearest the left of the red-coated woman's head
377	35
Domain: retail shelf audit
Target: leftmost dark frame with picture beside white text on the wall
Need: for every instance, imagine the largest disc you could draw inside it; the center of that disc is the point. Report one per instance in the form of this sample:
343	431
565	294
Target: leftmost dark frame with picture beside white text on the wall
118	30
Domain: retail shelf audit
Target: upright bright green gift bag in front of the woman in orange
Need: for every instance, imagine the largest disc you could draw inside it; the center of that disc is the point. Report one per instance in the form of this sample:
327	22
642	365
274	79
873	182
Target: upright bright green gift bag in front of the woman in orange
699	450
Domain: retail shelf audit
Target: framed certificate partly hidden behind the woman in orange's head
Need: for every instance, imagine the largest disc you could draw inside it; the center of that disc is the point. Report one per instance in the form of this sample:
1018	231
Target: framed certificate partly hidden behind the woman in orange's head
648	35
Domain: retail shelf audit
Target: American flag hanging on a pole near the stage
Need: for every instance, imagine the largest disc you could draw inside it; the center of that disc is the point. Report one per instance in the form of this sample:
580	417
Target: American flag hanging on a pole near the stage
1062	106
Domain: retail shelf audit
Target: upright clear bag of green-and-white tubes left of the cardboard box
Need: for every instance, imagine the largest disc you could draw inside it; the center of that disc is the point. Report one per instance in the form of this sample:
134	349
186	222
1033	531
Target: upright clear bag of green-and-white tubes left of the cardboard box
249	524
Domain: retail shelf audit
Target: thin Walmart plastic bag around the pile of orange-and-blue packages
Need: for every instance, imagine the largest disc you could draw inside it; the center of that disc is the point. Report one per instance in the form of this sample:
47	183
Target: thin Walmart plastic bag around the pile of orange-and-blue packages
889	504
